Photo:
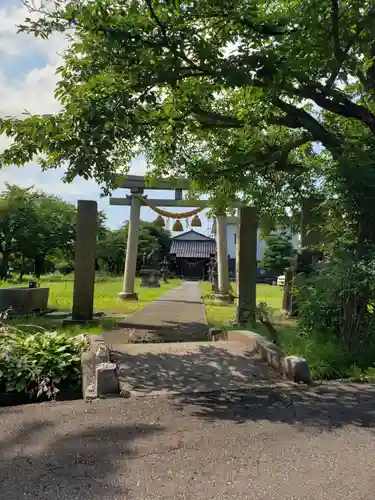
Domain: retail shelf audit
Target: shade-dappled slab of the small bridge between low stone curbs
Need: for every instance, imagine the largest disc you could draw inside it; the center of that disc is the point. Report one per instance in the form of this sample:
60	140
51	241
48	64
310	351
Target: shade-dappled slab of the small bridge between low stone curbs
189	367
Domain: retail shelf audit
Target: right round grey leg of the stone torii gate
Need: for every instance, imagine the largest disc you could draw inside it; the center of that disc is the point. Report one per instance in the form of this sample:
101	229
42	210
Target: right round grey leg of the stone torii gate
222	258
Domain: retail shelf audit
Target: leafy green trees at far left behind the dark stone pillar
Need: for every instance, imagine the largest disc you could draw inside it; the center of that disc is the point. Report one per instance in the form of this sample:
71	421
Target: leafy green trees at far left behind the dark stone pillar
35	225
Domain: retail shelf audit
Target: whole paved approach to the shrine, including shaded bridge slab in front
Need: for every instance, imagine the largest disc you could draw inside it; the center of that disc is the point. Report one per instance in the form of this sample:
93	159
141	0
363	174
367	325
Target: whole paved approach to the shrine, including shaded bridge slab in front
178	359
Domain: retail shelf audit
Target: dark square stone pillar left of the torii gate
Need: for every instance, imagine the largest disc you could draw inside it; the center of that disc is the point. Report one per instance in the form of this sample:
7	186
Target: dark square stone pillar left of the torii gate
85	250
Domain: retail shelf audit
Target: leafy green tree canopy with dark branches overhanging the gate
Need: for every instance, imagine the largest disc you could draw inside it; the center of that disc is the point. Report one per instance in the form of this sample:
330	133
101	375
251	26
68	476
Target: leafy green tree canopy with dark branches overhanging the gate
231	94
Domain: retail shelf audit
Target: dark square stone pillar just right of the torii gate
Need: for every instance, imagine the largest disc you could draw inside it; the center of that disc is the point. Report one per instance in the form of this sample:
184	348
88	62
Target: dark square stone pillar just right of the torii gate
246	263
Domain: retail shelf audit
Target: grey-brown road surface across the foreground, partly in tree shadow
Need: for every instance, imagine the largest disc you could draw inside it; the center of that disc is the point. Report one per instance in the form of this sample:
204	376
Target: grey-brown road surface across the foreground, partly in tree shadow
266	444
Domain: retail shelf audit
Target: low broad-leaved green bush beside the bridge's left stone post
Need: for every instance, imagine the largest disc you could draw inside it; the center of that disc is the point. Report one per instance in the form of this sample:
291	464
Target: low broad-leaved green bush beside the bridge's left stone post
39	362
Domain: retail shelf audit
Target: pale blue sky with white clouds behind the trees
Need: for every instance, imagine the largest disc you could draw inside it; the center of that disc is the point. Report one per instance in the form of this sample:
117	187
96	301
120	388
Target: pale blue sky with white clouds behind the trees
27	82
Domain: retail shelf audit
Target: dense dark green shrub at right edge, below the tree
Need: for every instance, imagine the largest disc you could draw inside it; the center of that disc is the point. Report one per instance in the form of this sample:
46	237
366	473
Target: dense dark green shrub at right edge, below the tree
337	299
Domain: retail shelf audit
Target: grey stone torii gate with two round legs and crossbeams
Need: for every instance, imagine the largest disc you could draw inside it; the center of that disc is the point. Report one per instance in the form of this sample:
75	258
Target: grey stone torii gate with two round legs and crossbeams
137	184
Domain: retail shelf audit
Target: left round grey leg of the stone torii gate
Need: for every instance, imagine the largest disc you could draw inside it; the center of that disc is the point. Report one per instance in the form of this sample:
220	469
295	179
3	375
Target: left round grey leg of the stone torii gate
128	292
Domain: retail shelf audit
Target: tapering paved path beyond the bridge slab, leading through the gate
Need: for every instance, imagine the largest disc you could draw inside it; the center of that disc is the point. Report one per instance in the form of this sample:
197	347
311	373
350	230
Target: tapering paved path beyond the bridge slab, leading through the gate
176	316
